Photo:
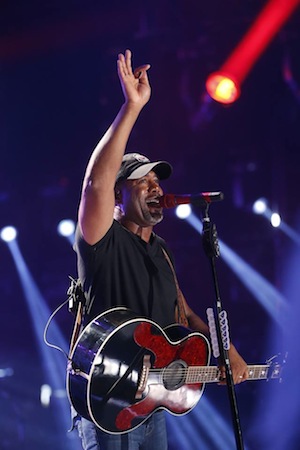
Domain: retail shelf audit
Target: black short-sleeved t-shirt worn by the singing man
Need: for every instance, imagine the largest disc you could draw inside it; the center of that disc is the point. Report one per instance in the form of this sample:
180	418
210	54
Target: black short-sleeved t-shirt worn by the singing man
123	270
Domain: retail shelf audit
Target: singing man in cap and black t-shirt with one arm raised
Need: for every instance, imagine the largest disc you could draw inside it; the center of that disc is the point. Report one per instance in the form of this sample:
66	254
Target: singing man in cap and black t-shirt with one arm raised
122	262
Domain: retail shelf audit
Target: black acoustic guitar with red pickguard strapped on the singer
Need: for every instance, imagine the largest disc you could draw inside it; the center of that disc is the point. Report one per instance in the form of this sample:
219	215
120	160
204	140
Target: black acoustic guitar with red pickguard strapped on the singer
125	367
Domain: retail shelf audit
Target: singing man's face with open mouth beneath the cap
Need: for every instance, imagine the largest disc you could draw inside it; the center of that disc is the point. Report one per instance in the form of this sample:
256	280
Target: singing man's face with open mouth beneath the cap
140	200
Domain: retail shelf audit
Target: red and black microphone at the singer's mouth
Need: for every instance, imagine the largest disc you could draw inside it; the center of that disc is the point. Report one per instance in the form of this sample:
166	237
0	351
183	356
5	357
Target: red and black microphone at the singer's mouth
201	199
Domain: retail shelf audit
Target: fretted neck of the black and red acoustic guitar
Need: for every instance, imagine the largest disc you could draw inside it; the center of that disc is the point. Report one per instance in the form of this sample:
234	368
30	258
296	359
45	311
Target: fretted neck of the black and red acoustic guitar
211	374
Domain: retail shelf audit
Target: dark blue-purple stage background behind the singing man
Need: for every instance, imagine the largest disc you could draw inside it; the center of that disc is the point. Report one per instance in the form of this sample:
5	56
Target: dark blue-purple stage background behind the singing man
59	91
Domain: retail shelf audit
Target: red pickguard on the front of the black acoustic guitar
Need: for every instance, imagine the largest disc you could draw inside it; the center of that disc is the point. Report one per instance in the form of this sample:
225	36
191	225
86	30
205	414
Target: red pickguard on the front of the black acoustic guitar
192	350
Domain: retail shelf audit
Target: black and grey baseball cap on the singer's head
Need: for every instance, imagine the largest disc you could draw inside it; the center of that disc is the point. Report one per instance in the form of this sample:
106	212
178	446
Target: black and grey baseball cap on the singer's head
135	165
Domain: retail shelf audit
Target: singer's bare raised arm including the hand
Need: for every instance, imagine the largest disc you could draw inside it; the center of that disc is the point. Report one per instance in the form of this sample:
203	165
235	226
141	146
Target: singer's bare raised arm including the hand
97	201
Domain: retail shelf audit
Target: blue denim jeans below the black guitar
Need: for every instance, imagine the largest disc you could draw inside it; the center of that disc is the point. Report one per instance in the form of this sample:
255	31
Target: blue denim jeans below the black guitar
151	435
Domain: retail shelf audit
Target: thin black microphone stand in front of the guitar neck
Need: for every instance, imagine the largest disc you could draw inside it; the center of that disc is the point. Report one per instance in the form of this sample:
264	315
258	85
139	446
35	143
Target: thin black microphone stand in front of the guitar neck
211	248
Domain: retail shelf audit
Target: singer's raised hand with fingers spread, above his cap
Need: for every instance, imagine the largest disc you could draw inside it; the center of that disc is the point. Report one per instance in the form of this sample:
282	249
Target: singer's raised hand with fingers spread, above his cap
135	84
